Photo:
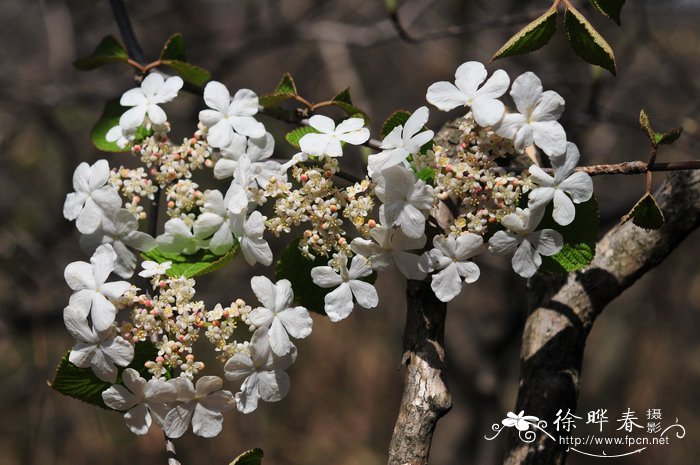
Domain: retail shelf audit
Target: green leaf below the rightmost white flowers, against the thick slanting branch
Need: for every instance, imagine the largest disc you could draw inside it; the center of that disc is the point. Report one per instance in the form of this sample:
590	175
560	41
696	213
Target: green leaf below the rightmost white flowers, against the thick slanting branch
579	239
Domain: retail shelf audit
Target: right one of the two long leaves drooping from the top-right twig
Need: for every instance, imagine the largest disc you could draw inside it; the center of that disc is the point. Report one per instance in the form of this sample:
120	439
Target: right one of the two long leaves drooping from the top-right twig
587	42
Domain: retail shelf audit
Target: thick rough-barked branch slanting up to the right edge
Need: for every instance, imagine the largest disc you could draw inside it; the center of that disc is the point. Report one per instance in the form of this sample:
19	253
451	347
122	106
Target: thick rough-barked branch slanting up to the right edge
564	312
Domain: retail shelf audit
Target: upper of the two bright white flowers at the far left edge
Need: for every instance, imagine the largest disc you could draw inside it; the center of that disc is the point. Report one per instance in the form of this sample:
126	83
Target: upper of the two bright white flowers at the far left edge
93	199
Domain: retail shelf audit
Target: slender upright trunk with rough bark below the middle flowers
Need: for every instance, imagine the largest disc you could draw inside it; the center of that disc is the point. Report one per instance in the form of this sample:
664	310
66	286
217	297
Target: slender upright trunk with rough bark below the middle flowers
426	397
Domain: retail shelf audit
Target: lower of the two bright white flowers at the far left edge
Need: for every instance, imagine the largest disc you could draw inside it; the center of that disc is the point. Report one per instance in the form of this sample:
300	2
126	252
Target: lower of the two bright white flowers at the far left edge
91	291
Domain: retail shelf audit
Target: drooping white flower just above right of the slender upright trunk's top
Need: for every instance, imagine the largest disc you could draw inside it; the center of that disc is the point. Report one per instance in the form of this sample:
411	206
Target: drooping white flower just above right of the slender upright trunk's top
451	255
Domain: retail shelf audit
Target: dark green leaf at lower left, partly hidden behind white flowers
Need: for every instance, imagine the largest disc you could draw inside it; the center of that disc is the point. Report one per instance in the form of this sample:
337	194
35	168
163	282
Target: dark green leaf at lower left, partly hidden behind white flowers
82	384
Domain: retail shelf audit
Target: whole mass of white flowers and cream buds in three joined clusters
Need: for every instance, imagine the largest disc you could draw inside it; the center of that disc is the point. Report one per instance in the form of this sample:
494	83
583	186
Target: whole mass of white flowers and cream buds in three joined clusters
494	207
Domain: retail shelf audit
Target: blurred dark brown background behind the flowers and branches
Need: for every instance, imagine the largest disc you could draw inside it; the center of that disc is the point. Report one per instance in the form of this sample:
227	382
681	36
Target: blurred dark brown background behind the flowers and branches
643	353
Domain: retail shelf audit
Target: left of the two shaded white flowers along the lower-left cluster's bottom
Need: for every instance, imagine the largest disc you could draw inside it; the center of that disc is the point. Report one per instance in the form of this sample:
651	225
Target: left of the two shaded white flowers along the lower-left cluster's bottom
141	400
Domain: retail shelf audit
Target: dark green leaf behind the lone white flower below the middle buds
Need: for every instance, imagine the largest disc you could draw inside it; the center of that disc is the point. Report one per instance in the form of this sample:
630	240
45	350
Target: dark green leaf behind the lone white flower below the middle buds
295	267
